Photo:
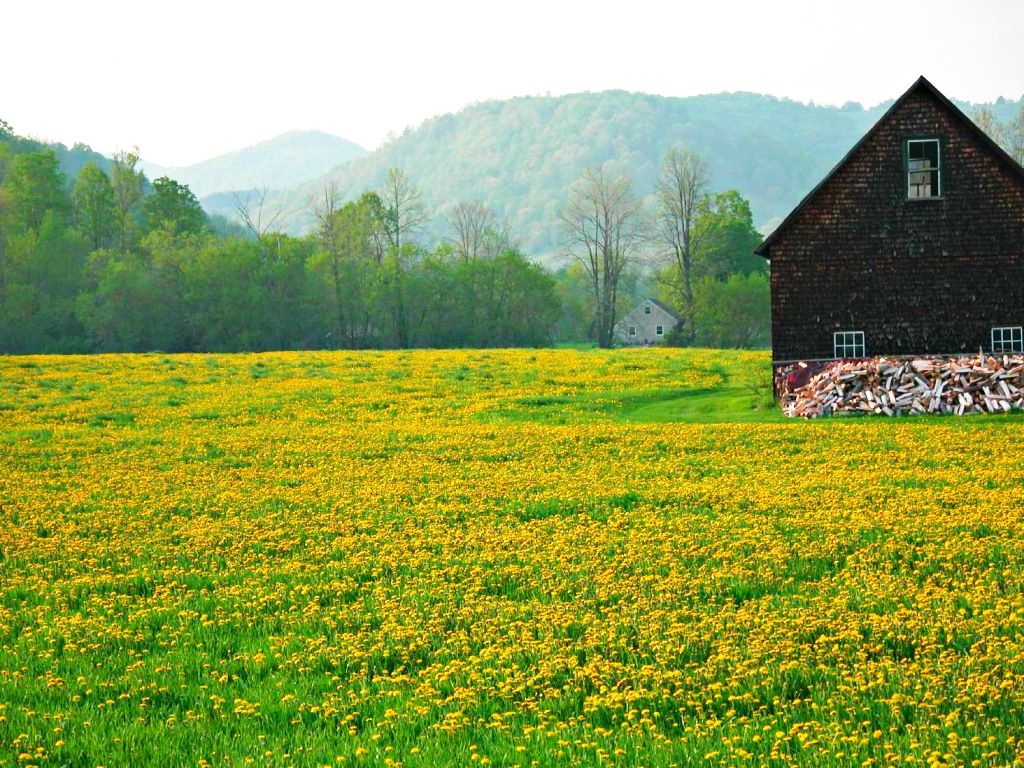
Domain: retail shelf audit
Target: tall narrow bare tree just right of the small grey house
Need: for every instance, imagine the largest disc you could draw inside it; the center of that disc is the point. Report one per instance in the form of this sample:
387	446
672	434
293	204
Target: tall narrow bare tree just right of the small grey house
682	188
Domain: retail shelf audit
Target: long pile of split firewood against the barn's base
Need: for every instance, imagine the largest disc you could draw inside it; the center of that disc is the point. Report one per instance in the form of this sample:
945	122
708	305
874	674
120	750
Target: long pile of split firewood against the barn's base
925	386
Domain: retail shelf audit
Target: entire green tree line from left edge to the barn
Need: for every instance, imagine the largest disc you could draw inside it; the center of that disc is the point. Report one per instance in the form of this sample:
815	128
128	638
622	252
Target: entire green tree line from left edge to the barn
110	262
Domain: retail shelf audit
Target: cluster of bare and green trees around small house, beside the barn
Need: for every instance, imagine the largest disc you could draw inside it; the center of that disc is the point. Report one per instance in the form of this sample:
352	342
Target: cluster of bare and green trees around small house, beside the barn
697	247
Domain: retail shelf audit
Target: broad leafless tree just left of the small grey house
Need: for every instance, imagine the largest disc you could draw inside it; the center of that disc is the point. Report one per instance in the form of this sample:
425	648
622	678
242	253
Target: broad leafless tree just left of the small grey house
604	224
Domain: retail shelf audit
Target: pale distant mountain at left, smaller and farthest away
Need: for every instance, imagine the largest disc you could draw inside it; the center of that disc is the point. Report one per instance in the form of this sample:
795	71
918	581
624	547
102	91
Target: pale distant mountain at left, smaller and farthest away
285	162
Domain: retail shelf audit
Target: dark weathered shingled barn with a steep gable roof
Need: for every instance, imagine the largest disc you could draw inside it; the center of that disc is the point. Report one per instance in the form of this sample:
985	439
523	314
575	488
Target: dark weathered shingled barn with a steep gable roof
913	245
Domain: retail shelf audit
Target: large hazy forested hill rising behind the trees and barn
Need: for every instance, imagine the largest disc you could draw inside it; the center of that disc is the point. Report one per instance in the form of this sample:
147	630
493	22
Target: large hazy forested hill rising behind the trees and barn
521	156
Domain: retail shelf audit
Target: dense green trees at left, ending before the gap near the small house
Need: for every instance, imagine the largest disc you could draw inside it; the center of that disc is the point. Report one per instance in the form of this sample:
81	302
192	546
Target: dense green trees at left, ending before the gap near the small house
112	263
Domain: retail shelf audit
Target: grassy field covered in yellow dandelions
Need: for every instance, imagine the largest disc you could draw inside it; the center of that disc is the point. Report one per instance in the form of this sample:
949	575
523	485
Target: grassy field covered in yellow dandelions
538	558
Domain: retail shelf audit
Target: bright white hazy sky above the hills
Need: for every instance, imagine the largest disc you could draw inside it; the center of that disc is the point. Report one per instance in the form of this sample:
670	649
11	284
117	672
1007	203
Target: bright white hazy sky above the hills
187	81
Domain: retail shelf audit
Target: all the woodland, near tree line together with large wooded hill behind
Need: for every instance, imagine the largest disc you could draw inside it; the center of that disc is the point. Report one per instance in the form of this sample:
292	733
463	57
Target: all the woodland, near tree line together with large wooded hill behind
96	258
